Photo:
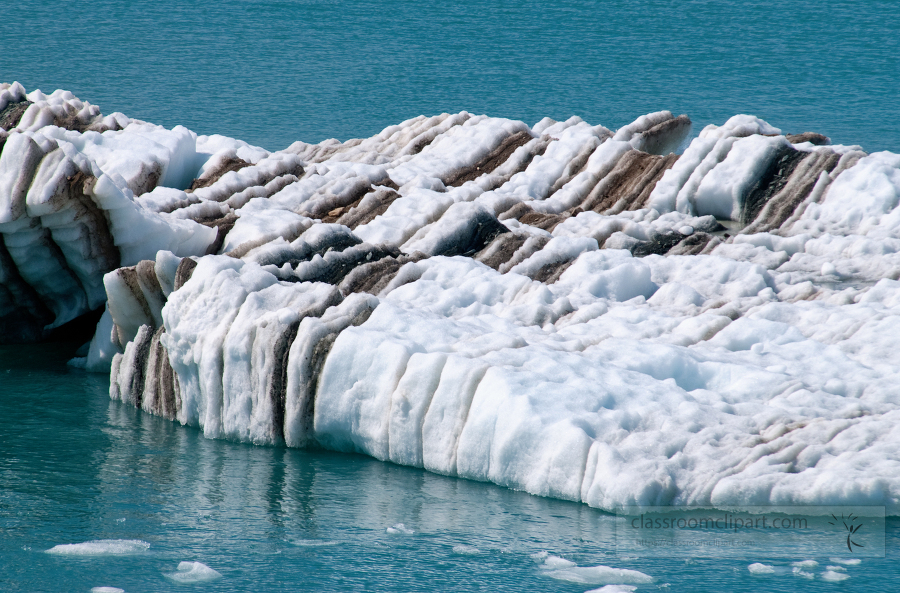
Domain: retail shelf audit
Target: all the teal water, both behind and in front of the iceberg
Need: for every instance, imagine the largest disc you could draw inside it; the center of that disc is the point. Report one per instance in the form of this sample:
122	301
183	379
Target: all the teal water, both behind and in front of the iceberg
76	467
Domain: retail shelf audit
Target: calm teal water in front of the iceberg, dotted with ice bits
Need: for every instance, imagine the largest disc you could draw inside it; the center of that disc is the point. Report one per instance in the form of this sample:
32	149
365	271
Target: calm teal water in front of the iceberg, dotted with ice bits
78	467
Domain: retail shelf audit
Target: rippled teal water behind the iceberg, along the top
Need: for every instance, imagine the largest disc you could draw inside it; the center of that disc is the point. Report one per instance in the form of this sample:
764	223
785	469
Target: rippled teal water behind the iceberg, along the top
275	71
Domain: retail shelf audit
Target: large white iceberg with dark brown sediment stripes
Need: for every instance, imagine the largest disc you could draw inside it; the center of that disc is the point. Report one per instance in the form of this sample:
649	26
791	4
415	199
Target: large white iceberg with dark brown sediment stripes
562	309
